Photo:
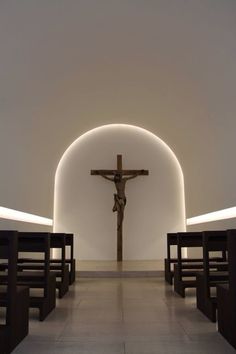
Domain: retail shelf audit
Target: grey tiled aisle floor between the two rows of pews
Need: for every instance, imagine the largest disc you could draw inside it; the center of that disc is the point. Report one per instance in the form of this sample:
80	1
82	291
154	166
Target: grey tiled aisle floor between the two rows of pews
117	316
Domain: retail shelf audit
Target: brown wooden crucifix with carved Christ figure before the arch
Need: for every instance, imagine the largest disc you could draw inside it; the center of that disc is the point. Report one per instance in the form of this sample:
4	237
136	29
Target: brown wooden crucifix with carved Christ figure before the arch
119	198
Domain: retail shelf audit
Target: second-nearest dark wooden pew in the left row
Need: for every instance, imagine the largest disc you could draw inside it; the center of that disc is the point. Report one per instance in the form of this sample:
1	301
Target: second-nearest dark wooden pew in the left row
43	279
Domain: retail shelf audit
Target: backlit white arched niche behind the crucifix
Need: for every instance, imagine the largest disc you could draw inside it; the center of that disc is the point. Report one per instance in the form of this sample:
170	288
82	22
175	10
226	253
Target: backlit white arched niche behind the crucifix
83	203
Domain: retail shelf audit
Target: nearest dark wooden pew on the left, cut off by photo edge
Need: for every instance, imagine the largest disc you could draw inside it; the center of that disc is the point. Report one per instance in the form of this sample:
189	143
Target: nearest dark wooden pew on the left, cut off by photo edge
12	297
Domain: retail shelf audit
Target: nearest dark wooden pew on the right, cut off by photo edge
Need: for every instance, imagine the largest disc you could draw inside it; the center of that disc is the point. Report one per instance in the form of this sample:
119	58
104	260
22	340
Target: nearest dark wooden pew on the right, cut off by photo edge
226	295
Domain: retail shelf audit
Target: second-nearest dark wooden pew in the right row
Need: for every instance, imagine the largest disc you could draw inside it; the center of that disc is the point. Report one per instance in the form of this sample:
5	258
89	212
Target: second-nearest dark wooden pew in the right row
209	278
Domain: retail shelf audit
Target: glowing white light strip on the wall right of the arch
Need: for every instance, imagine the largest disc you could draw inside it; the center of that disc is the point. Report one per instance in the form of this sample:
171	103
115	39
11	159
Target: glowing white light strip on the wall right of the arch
214	216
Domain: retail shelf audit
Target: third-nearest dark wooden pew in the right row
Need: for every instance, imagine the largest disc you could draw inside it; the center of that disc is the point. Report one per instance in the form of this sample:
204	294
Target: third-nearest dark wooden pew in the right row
185	273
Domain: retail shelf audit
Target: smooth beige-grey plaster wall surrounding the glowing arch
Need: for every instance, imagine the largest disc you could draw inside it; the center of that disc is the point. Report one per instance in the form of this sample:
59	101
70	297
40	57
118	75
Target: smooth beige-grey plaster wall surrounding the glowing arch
69	66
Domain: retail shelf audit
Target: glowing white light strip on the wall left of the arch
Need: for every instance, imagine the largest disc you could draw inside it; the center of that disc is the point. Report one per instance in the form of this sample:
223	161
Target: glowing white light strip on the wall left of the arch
11	214
